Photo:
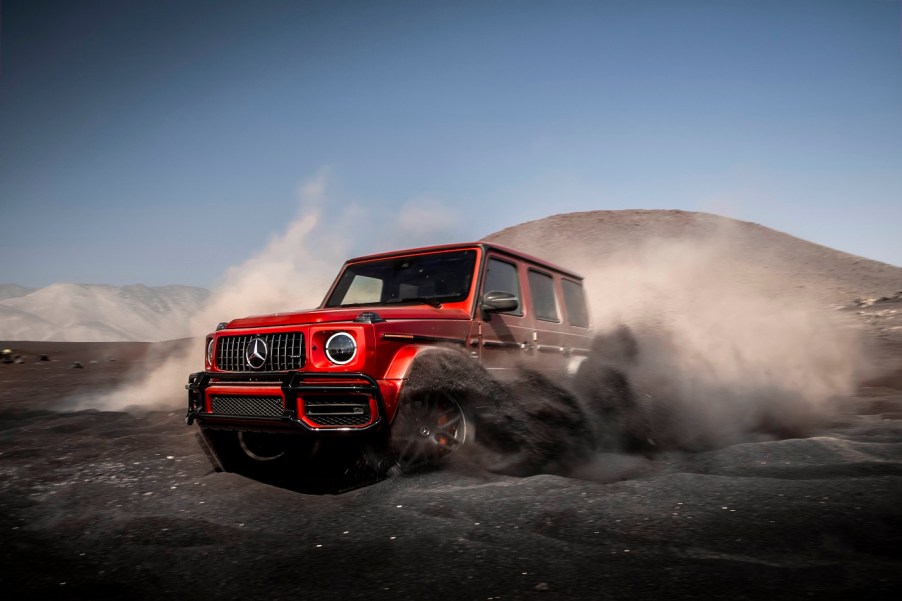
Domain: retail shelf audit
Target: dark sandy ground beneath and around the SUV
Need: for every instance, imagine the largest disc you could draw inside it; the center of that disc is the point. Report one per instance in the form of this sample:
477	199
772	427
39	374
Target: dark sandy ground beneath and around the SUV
111	505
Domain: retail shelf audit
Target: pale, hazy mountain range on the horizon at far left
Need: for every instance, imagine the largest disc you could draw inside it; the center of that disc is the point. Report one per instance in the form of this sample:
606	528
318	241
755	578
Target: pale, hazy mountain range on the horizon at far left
97	313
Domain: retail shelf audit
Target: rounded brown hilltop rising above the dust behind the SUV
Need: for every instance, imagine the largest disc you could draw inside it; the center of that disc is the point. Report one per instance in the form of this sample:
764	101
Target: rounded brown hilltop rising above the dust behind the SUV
771	262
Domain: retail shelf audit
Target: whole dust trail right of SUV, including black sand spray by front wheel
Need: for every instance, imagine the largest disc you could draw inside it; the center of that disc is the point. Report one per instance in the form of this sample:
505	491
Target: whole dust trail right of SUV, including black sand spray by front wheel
696	348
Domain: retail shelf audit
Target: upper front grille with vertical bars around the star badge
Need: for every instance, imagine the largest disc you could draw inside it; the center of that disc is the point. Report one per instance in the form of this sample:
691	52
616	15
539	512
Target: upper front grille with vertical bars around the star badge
284	351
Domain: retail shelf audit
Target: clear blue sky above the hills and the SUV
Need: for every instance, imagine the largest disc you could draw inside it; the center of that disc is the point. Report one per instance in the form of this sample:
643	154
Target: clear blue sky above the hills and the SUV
159	142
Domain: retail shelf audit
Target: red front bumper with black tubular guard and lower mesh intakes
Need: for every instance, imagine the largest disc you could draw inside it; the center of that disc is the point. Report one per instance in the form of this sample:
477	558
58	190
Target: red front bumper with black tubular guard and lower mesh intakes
285	402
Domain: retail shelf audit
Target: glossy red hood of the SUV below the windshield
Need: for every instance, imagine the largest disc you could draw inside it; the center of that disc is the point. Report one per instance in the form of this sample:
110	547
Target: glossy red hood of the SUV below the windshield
346	314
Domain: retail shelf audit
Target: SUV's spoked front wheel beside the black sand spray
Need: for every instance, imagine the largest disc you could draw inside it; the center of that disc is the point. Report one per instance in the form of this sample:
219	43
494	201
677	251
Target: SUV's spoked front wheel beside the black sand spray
428	430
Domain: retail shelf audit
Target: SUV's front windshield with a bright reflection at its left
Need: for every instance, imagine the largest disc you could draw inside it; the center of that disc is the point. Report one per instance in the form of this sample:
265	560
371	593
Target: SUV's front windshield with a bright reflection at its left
430	279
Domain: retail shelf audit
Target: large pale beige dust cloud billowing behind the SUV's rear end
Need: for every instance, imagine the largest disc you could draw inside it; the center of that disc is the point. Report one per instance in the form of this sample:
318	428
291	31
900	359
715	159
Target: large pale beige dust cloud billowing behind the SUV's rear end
725	351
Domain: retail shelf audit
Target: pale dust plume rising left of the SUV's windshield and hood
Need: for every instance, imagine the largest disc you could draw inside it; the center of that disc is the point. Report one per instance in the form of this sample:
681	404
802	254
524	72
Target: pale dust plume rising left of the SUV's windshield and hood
293	272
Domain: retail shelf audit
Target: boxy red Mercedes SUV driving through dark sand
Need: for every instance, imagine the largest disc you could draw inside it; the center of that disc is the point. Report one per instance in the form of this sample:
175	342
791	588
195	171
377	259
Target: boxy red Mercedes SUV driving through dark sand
388	358
